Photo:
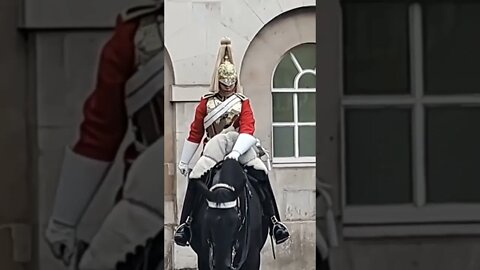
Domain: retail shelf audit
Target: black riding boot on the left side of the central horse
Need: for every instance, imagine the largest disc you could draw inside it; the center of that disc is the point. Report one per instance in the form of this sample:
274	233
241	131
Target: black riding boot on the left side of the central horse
183	233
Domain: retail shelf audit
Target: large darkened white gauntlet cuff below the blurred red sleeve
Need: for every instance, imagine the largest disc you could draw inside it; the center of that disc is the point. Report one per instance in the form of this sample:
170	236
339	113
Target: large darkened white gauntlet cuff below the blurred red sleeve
80	179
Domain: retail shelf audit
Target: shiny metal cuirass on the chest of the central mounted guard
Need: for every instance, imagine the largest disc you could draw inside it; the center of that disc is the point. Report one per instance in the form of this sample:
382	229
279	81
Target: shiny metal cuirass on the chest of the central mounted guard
226	121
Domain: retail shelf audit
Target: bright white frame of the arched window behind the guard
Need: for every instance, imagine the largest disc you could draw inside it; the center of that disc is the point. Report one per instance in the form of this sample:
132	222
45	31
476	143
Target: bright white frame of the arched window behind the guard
297	160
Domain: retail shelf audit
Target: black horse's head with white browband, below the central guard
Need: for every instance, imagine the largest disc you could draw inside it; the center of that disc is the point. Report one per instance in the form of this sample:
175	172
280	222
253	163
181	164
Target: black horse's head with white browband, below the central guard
222	216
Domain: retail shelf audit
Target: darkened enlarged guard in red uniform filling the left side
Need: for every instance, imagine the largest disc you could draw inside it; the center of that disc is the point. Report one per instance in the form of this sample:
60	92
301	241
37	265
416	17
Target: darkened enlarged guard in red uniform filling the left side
128	92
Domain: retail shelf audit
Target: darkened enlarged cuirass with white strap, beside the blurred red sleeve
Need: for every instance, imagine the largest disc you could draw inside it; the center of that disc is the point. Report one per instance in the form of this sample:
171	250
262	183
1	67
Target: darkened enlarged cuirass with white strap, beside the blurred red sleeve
145	89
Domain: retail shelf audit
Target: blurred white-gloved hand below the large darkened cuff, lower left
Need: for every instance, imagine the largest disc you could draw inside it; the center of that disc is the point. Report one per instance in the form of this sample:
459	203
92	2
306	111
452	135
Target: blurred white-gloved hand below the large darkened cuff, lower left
61	239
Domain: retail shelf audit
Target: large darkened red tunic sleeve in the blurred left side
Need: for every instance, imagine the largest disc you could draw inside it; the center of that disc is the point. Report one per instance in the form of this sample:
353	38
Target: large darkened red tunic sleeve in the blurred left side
105	118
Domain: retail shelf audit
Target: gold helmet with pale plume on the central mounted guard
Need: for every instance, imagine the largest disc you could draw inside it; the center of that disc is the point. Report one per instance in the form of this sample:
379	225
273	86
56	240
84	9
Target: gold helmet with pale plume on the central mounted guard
225	70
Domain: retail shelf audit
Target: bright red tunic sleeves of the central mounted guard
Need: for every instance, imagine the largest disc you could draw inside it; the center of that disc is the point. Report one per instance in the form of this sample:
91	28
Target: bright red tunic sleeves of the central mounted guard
245	123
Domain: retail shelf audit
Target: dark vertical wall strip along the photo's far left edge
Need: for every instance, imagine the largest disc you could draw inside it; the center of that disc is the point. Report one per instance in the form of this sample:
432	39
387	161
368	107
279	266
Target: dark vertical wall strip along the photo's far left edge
15	143
